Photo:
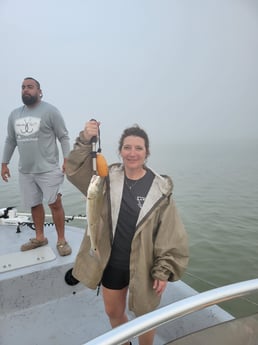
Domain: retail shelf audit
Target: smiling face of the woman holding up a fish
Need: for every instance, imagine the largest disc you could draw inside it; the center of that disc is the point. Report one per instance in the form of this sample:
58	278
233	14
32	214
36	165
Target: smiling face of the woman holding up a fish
133	152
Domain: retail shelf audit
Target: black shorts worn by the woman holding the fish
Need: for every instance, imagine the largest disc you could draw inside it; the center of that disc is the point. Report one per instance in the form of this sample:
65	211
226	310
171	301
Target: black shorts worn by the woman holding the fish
115	278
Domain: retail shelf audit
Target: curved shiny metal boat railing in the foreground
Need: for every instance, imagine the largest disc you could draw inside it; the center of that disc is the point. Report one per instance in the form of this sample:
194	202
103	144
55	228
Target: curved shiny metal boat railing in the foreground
154	319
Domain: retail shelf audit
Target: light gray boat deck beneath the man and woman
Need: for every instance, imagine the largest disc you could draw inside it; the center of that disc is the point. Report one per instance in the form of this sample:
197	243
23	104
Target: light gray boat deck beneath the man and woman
38	307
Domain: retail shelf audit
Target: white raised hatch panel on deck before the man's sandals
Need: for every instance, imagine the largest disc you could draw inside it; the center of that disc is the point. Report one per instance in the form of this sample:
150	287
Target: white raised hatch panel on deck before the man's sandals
12	261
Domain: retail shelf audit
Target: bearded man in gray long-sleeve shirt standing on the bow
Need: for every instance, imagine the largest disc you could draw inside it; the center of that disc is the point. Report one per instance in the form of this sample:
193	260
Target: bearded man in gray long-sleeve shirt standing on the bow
34	128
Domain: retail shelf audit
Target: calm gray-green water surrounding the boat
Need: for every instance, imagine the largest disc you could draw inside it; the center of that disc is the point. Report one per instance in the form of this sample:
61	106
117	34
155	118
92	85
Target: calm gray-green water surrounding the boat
216	191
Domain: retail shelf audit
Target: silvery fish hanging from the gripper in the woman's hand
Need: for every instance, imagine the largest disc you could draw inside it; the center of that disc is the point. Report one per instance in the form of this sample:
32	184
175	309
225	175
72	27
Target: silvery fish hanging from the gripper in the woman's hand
94	201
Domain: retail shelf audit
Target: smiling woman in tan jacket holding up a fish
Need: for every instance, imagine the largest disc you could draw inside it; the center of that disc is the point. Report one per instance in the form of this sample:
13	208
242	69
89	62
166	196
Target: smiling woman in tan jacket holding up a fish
142	241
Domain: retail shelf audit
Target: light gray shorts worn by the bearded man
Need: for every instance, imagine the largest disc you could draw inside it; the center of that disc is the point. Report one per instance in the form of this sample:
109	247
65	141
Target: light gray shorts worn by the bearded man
36	188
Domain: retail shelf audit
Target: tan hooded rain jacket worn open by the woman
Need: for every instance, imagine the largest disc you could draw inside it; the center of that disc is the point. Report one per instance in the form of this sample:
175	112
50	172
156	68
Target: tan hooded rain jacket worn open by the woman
159	248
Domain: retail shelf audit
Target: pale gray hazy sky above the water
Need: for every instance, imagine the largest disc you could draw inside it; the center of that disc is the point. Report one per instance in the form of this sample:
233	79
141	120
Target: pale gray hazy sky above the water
185	70
